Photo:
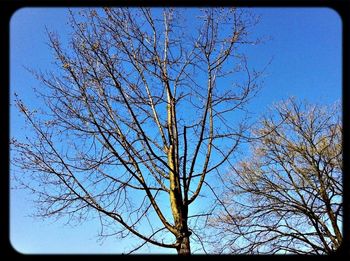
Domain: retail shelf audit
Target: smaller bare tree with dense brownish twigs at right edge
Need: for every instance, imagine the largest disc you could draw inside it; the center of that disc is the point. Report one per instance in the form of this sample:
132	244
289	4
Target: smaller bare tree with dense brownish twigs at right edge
287	197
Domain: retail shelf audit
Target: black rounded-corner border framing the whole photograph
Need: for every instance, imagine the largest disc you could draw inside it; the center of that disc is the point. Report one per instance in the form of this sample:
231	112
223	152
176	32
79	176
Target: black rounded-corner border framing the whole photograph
9	7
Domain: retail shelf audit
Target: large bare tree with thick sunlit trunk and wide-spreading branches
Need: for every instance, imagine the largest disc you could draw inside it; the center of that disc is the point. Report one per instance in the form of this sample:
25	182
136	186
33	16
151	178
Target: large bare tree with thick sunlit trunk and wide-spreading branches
137	115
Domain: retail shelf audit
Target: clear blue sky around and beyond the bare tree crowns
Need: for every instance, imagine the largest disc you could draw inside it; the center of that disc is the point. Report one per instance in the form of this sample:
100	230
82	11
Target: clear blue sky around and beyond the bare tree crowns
306	51
